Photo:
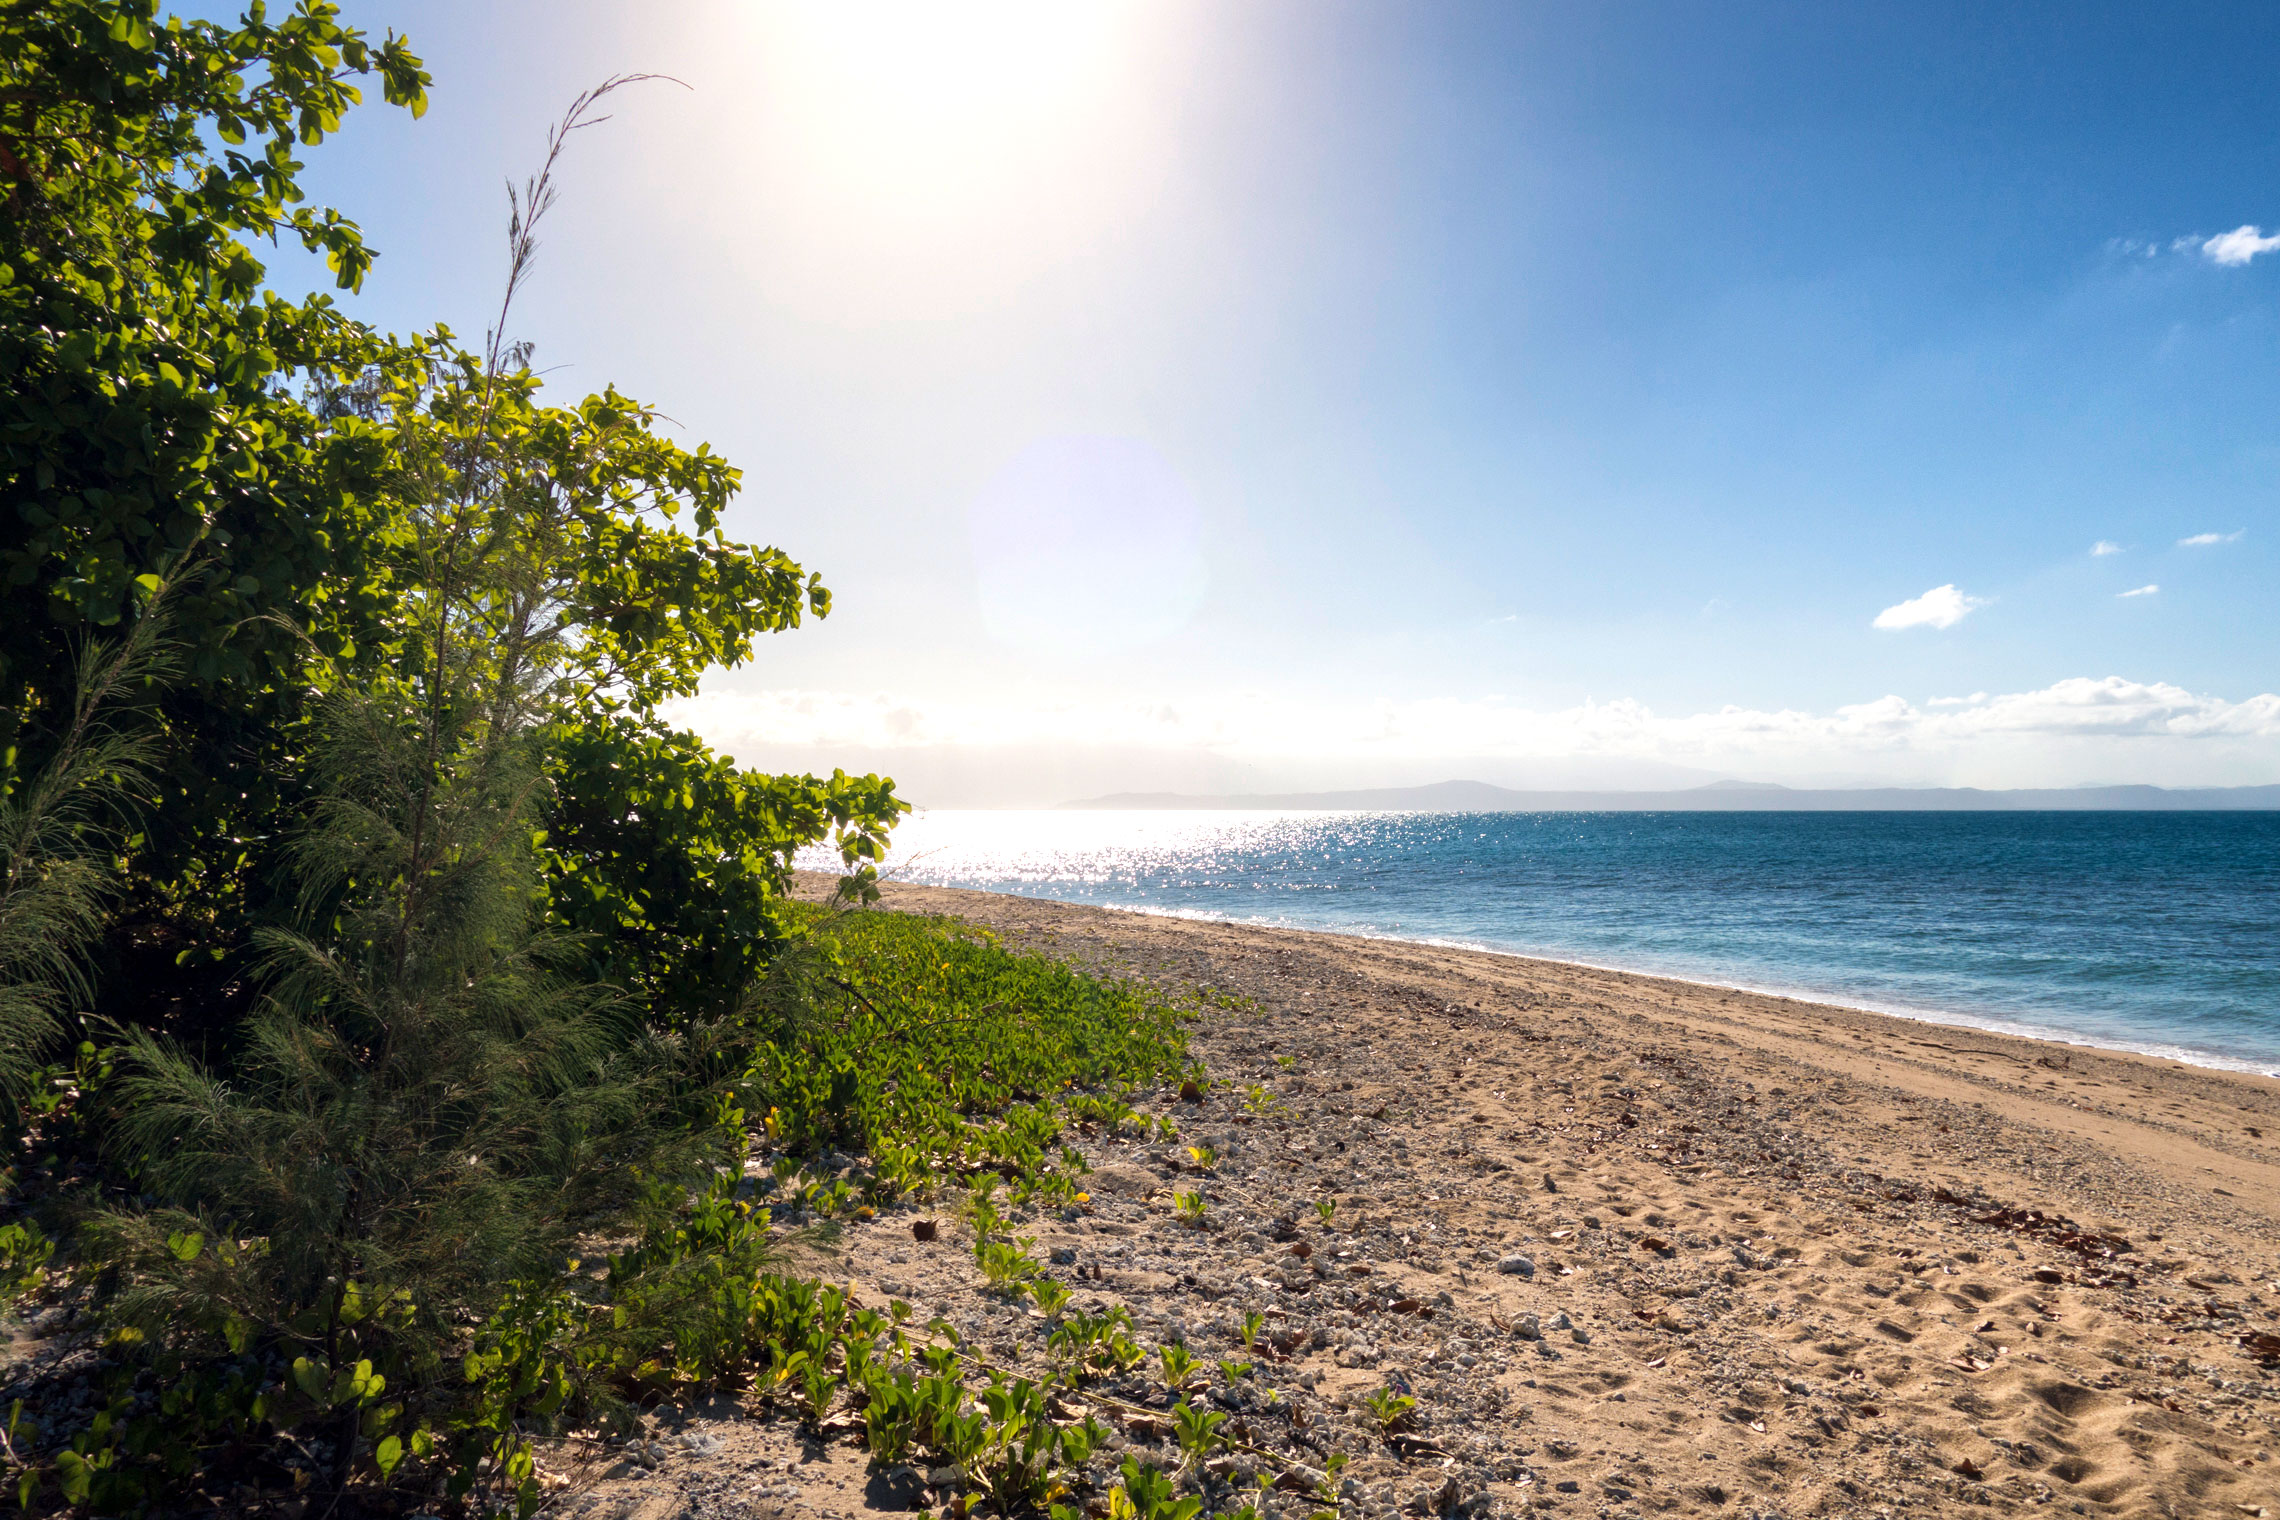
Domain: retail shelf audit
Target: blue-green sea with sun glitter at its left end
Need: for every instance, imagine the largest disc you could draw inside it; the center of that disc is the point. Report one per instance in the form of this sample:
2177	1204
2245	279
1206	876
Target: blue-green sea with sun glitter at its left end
2153	933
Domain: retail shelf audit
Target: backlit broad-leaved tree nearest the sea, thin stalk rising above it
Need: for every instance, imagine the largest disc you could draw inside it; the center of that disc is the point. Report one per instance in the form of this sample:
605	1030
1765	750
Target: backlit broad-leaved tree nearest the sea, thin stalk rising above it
548	557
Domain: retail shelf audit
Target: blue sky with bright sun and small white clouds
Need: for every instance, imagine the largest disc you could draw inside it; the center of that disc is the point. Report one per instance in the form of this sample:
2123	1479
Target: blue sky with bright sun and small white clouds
1219	395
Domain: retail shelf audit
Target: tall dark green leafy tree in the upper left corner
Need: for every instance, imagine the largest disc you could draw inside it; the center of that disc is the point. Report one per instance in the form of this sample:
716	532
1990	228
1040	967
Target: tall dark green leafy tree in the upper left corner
147	416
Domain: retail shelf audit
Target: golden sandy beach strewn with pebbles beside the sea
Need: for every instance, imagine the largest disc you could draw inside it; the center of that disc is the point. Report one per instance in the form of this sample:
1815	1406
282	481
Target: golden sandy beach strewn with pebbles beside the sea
1636	1248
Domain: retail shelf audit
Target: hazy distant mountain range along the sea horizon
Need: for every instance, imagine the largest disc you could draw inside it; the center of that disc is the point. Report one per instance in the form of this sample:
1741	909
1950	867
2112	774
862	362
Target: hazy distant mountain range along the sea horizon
1716	799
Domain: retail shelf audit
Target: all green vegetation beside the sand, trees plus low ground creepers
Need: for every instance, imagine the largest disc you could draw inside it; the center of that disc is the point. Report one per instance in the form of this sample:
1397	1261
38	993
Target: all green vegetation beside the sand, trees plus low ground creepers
412	1059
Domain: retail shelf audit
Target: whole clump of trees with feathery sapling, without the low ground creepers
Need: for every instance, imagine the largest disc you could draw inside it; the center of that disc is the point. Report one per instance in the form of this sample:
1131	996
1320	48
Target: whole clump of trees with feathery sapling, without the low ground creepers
434	931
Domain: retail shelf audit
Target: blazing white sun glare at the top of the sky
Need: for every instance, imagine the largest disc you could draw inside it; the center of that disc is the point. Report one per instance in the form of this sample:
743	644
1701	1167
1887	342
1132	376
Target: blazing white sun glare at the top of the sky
890	161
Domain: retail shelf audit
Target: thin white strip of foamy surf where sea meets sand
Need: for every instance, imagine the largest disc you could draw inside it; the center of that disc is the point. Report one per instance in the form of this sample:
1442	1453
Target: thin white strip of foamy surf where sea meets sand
1951	1020
